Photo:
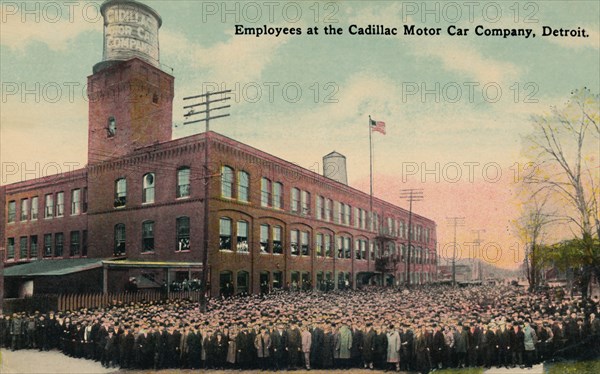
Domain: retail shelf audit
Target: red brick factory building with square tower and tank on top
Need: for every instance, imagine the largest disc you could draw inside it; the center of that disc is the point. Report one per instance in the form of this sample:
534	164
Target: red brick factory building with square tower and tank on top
136	211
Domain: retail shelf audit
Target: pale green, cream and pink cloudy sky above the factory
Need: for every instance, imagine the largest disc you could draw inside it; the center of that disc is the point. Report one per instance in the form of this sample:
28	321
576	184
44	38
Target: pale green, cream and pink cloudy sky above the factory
456	107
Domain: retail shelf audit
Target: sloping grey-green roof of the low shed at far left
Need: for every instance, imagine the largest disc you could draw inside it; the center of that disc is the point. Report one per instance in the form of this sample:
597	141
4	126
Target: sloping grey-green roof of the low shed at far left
53	267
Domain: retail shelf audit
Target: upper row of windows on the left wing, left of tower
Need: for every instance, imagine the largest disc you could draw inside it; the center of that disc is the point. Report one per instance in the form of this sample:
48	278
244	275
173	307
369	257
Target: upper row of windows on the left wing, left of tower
54	206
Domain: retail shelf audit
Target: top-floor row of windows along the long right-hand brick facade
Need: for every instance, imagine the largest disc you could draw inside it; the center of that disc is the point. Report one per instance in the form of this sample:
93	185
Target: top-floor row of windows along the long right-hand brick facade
237	185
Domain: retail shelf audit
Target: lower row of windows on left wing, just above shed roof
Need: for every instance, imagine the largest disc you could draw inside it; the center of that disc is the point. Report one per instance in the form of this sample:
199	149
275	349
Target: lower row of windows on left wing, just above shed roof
51	246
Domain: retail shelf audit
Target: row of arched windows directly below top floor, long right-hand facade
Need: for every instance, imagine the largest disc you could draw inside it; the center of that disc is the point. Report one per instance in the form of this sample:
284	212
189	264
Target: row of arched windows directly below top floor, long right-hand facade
299	243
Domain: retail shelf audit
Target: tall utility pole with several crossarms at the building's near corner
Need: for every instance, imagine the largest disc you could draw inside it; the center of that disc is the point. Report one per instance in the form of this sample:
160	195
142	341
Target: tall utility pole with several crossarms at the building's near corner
205	100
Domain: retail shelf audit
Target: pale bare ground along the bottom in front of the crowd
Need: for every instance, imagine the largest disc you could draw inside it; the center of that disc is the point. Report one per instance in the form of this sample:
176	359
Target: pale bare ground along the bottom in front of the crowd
54	362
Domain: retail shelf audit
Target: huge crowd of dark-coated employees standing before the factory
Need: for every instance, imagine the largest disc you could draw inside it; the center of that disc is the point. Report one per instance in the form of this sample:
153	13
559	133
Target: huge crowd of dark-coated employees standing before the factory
385	329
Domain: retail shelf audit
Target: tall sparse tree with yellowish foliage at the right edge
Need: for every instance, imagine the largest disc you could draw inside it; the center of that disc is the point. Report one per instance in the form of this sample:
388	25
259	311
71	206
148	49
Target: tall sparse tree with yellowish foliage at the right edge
564	147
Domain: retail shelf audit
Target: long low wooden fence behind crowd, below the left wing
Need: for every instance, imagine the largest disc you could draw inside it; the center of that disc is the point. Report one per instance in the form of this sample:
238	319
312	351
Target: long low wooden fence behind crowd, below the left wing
61	303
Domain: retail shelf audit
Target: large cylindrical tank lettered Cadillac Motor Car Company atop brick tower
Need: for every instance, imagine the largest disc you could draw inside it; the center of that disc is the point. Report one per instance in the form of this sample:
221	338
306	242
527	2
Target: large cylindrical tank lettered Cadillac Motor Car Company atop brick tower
130	30
